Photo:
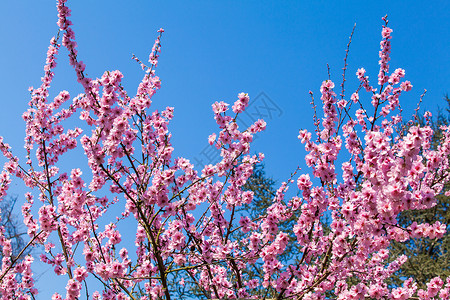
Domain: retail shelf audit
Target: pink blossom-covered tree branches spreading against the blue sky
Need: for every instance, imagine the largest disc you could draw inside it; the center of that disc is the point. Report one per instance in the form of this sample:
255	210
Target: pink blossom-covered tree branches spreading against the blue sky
185	218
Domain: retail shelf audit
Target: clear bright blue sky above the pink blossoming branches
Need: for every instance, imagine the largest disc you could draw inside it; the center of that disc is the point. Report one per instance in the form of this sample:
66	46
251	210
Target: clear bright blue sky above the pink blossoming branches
212	50
